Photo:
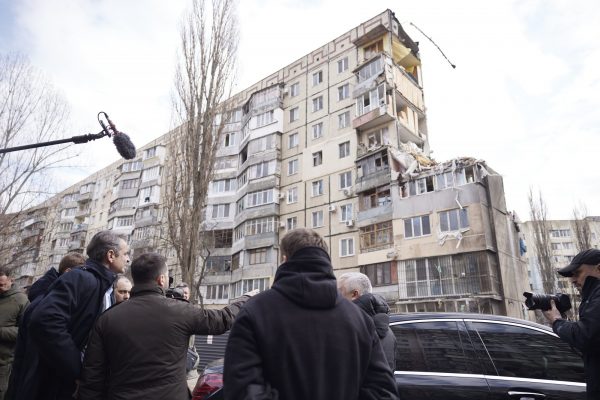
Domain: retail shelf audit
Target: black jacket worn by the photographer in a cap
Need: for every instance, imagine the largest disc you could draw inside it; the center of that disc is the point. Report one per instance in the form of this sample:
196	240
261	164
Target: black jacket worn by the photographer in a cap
584	335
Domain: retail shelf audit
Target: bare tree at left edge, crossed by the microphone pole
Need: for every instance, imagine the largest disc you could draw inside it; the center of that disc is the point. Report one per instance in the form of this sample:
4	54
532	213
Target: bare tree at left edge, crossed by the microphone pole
31	111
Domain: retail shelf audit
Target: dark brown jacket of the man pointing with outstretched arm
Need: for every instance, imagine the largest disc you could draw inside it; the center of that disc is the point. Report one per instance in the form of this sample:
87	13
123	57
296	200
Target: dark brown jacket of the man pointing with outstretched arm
138	348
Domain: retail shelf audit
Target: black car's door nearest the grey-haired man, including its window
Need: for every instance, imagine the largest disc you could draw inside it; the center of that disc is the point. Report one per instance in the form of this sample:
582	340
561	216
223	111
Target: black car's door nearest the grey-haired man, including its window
436	361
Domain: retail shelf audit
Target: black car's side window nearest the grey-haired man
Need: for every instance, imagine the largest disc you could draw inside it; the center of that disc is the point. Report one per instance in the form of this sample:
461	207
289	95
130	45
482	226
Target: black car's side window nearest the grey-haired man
438	346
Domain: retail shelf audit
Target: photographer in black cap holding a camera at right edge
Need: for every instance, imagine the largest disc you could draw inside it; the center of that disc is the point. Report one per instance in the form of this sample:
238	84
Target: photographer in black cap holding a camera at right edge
584	335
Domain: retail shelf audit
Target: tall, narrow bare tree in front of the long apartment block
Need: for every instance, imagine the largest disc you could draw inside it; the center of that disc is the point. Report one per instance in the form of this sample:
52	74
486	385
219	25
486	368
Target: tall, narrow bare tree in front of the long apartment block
202	84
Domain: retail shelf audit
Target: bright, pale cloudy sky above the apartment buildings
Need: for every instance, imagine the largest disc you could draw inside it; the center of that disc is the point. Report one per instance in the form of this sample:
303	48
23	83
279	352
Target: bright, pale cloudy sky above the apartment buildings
524	96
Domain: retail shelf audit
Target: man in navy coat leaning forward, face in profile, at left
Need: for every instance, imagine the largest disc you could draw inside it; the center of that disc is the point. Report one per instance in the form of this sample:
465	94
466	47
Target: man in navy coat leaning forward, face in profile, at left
59	324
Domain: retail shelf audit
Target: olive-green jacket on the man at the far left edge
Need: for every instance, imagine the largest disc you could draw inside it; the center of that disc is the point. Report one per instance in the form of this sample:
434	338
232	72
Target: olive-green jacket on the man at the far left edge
13	303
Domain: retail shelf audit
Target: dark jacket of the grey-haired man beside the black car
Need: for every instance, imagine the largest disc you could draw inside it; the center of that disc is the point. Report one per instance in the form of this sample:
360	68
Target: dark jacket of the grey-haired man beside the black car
376	307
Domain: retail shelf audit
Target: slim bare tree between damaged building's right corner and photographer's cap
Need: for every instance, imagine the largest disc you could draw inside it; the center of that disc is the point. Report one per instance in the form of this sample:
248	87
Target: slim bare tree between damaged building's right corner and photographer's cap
538	213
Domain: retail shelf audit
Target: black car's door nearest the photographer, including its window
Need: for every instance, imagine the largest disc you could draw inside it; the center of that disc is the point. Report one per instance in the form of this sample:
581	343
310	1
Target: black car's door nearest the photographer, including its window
528	362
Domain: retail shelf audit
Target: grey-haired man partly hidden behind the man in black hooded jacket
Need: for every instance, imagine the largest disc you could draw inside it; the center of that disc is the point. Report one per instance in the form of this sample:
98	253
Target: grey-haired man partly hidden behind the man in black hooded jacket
357	288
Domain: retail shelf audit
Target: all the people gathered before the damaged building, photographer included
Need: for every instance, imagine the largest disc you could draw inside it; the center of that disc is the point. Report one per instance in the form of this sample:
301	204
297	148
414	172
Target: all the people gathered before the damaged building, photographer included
85	331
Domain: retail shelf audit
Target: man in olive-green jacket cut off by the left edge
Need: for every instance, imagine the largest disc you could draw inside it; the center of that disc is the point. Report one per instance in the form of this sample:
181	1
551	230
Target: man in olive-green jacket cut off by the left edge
13	303
